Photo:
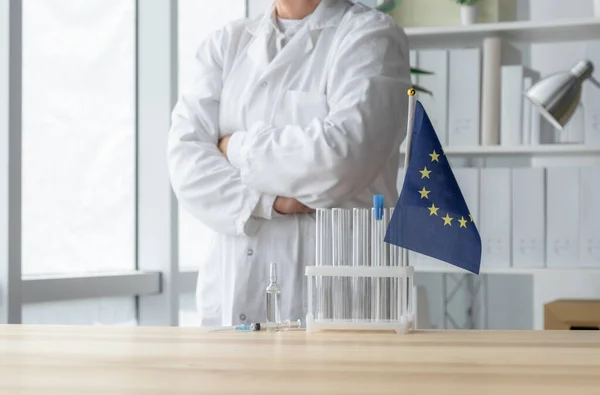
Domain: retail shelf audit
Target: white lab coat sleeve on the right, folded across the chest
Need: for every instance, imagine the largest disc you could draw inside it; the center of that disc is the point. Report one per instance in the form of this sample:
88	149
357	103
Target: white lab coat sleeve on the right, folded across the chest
332	159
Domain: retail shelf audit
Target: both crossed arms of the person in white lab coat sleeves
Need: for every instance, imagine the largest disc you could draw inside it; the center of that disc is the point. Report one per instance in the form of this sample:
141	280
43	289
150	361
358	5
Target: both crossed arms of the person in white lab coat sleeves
291	169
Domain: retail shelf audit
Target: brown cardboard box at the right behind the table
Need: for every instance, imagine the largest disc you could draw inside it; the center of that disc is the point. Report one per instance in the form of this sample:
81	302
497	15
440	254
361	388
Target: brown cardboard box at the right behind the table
572	315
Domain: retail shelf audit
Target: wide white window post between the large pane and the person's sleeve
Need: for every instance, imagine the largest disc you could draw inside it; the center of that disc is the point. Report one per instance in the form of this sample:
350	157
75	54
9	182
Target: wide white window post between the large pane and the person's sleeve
157	216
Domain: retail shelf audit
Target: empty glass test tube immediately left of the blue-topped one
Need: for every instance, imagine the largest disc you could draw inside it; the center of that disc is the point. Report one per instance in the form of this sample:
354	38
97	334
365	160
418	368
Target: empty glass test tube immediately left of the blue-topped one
361	286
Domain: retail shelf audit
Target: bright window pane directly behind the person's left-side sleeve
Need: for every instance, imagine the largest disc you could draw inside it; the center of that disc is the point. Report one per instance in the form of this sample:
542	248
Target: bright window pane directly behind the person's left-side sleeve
196	21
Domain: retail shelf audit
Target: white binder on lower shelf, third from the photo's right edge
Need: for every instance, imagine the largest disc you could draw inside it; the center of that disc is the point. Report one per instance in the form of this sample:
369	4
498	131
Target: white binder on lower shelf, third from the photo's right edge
528	217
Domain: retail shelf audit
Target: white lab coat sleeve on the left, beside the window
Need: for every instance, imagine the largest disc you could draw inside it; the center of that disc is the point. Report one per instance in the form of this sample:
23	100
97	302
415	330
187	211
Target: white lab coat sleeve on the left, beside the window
201	176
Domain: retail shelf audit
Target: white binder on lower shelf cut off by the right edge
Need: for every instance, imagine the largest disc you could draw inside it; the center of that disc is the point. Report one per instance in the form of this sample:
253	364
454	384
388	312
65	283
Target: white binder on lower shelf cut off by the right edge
590	216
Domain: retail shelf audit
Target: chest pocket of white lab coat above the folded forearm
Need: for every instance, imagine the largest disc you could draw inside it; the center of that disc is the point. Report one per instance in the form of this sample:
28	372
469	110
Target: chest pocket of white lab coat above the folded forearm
300	108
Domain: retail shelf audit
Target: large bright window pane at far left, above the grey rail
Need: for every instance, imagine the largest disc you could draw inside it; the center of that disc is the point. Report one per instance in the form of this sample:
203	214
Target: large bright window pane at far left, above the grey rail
78	136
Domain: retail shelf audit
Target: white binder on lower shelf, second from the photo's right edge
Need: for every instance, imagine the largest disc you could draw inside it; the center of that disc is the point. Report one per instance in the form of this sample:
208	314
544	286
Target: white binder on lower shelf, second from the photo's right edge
562	214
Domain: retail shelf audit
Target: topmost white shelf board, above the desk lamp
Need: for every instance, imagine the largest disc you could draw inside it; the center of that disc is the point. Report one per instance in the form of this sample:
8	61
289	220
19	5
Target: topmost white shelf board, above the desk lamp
448	37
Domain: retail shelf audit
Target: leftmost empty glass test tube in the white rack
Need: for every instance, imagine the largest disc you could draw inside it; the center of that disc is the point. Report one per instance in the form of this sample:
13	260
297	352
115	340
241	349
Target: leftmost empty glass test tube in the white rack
323	258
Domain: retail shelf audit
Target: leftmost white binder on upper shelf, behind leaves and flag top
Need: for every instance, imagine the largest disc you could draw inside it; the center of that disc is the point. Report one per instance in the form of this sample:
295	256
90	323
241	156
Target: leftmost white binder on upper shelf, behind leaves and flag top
435	61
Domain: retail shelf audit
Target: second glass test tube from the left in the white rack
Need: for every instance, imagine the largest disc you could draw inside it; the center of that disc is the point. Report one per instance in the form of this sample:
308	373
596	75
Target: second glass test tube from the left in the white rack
342	248
